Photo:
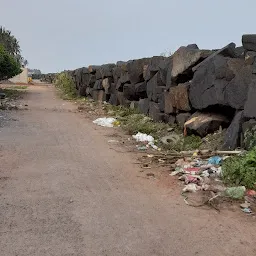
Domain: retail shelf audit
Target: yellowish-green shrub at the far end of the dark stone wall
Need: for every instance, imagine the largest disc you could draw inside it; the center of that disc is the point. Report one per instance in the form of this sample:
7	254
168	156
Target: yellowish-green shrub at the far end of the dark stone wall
66	86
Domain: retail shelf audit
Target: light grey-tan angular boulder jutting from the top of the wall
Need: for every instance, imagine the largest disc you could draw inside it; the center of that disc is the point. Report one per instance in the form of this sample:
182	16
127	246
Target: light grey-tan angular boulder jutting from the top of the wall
184	59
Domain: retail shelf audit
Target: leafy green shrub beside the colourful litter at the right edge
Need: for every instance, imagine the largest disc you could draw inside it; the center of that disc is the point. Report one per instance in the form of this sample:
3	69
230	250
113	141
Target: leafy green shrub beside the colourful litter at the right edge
241	170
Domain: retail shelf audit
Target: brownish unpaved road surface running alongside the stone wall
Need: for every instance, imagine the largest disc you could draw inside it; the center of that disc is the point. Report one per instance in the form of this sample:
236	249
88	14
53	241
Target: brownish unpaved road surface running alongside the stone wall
63	191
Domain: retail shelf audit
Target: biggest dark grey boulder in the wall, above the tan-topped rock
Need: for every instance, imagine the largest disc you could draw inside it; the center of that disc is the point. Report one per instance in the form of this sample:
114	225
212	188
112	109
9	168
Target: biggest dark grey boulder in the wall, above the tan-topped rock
221	81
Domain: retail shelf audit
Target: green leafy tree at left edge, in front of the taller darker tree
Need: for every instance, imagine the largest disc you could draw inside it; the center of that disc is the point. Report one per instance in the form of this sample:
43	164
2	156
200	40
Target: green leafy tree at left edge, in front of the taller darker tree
9	66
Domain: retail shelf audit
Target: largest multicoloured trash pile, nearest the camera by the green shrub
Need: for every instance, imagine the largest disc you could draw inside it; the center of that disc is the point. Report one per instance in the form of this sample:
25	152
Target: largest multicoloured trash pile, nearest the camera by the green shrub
204	175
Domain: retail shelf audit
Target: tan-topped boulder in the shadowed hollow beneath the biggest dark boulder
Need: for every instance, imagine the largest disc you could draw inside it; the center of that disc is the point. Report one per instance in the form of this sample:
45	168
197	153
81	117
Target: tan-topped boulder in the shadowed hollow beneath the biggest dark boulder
203	123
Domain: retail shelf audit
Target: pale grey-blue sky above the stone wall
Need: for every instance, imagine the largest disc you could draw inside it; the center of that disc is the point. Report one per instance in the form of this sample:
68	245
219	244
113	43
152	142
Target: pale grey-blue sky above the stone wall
58	35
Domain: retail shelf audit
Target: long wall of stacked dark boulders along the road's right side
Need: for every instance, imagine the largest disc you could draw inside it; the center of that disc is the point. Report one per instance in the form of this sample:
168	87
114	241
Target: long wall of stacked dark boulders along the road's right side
204	88
